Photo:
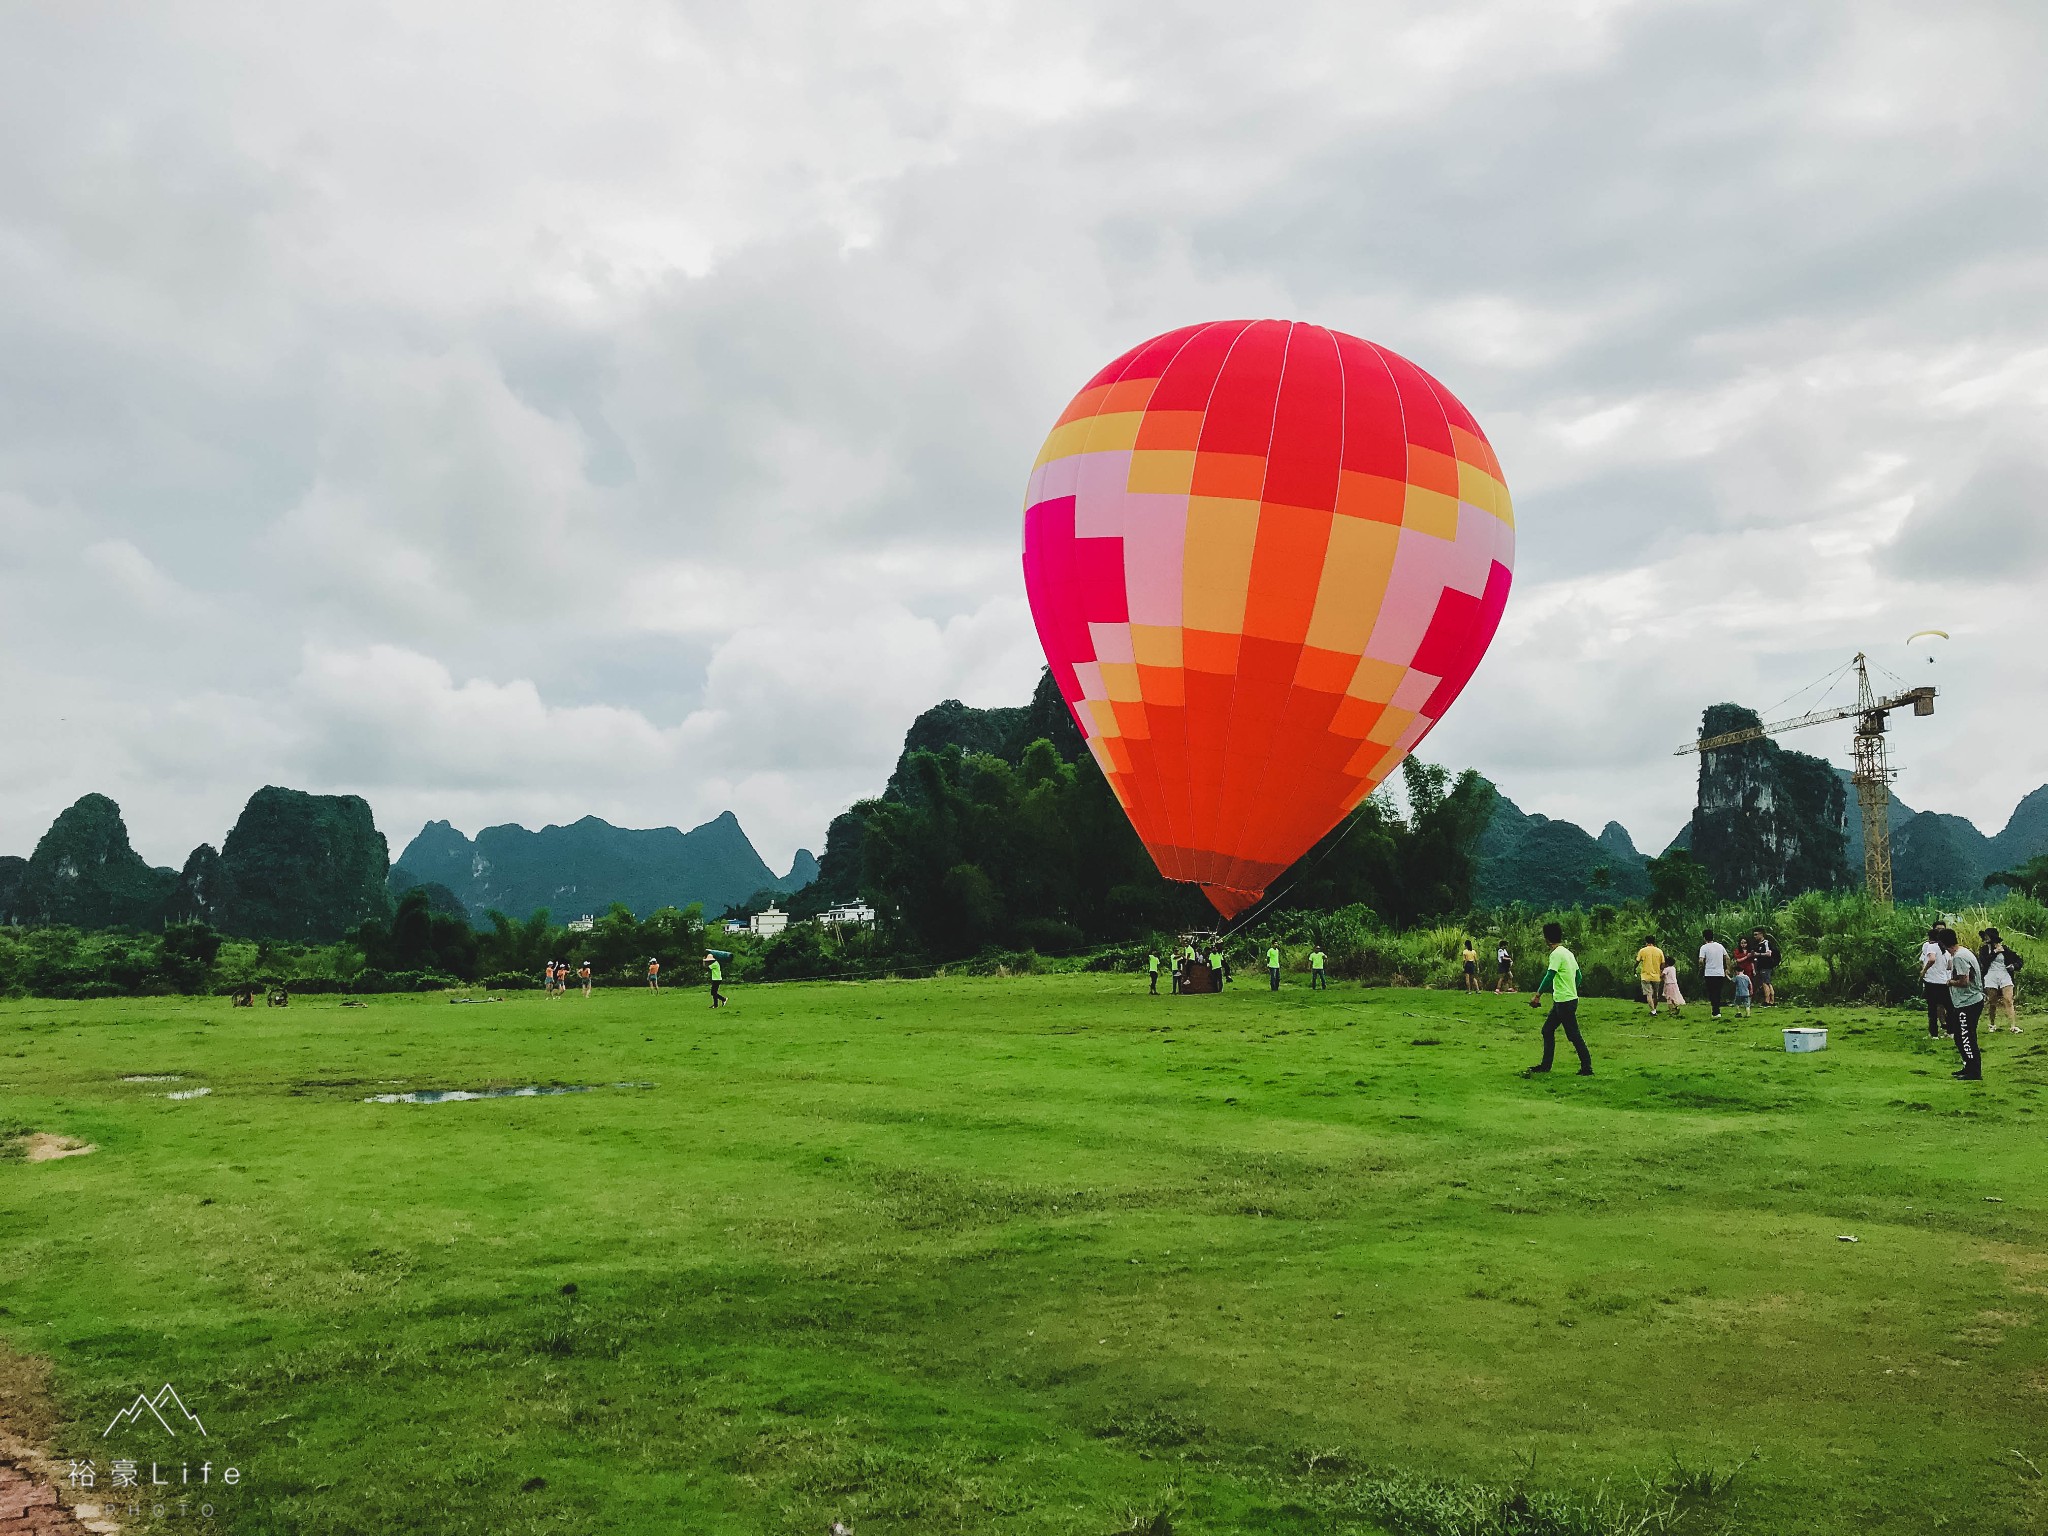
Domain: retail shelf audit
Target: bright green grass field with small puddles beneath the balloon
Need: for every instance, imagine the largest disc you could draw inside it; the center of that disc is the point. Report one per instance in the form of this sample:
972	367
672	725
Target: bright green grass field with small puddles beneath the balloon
1037	1256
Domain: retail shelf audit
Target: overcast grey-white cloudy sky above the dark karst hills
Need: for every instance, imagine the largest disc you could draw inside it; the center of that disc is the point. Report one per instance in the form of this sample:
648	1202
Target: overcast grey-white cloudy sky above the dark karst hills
517	413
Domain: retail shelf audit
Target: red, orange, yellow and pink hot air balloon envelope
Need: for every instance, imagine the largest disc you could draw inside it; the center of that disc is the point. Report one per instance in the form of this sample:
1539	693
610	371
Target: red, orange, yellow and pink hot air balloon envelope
1265	558
